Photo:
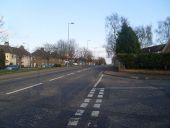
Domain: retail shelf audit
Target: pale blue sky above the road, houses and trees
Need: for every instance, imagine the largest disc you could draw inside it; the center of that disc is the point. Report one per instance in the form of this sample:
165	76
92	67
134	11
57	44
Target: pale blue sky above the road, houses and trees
33	23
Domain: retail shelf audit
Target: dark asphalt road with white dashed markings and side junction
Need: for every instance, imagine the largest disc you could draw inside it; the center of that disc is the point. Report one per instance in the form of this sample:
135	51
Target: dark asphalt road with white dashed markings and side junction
84	97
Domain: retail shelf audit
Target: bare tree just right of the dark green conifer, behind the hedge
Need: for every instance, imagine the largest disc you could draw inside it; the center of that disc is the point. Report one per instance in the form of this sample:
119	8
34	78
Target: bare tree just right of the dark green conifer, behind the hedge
144	35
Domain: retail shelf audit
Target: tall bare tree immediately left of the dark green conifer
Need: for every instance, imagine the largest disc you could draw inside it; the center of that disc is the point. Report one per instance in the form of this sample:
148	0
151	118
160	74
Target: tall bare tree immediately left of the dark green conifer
113	26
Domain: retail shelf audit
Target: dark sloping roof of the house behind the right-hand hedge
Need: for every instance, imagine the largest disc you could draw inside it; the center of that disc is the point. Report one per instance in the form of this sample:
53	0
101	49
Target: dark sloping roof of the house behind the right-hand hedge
154	49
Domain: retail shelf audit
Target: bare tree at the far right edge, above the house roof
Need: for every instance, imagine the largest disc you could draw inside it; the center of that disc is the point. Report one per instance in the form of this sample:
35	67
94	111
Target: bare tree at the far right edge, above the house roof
163	31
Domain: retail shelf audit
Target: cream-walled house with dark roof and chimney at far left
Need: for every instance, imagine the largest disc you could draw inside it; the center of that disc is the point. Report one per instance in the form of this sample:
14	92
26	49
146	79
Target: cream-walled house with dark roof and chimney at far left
16	56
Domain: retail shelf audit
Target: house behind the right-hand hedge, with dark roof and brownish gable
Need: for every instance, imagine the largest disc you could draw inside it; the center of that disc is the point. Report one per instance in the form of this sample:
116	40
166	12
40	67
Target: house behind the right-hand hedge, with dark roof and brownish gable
162	48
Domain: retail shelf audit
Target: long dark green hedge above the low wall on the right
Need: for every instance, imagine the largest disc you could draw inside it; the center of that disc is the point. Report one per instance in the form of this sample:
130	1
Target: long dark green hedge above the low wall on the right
145	61
